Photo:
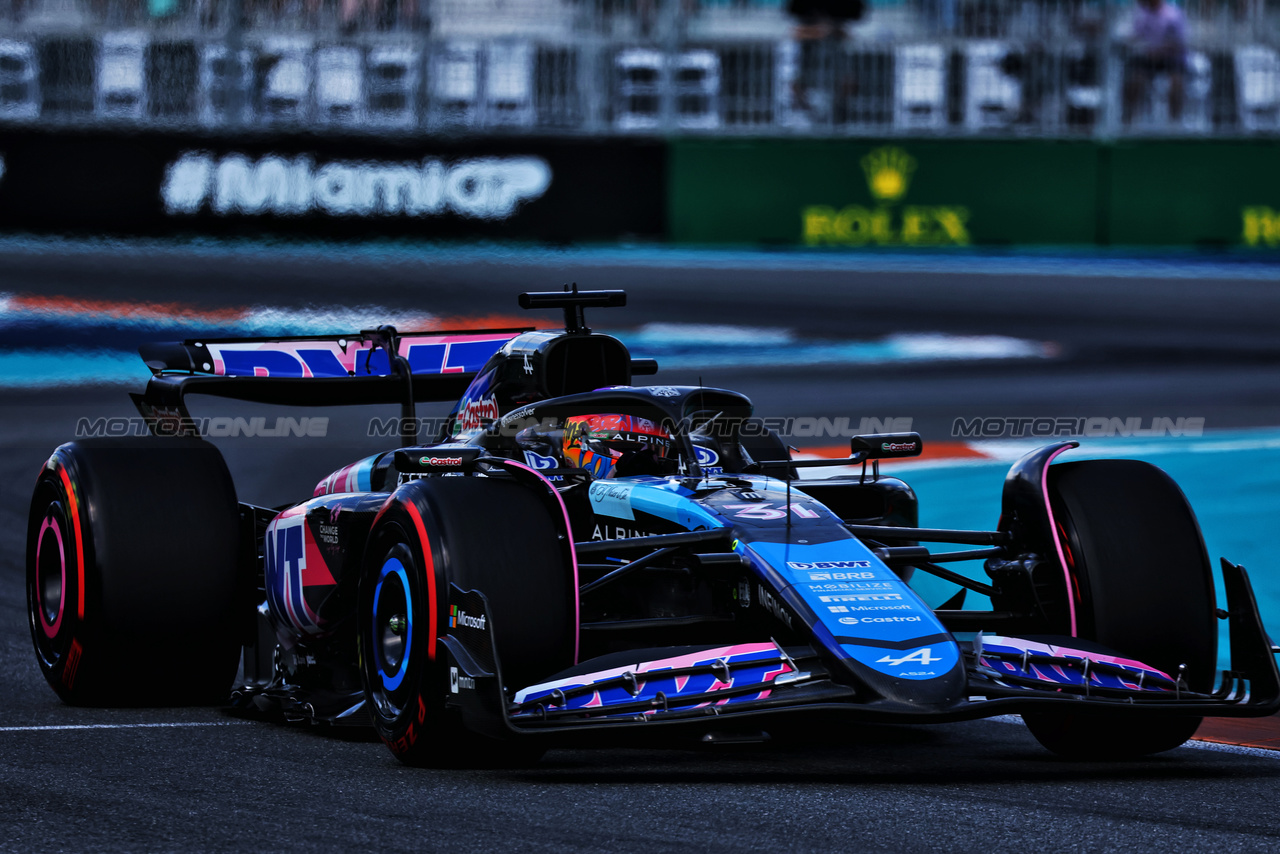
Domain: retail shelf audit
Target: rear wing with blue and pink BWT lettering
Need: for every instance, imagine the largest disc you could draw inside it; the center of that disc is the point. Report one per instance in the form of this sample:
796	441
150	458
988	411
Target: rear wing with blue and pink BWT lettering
372	367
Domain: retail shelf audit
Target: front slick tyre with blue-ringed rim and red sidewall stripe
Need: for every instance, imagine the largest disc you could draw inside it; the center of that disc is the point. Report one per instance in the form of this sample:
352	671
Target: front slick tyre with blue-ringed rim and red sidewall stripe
477	535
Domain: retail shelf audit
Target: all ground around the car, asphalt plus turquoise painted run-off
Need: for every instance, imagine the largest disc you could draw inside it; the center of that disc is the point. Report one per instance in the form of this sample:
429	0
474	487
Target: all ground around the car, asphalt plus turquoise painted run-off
875	340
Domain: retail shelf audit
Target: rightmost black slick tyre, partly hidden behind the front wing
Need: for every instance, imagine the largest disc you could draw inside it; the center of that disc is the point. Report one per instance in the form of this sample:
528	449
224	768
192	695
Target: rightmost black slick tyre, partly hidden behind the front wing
1144	588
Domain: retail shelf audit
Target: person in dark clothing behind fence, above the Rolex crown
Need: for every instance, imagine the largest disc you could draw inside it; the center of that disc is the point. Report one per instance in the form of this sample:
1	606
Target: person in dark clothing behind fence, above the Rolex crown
820	31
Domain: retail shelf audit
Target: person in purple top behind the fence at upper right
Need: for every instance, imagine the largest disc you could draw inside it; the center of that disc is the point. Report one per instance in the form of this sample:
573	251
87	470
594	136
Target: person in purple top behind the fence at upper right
1156	47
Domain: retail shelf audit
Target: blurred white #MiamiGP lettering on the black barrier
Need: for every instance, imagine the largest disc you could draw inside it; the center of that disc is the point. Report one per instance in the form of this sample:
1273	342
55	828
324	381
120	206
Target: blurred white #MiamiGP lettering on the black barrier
479	188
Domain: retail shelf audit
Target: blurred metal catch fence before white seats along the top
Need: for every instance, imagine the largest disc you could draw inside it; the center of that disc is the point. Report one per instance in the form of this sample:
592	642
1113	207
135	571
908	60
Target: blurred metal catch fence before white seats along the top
1054	68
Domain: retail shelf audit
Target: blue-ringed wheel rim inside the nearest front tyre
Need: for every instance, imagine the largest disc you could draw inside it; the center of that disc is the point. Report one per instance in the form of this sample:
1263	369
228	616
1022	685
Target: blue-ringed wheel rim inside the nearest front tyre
392	636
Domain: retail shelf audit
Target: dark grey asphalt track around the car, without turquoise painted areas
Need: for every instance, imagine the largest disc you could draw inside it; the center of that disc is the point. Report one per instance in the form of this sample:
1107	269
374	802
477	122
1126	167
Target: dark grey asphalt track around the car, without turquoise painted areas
196	780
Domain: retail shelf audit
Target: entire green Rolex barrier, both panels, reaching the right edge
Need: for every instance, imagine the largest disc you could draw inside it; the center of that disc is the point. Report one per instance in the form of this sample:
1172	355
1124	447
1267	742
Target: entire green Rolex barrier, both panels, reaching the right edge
961	193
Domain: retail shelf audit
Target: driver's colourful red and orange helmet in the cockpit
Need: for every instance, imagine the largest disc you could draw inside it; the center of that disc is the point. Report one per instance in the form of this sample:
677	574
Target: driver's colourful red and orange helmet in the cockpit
616	446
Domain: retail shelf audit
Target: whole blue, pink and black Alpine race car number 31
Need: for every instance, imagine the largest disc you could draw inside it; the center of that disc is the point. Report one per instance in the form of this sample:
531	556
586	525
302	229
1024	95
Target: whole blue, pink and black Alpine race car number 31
578	560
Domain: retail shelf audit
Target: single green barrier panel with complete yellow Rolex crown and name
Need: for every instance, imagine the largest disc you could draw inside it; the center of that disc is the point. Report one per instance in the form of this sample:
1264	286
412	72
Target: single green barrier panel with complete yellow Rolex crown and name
865	193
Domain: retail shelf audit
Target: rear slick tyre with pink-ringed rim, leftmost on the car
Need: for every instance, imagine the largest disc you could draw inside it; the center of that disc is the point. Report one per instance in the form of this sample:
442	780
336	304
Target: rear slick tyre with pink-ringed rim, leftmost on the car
132	587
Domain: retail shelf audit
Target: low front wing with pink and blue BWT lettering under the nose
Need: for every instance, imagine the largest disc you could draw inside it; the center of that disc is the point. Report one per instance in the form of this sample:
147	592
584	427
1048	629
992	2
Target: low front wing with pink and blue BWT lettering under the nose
761	682
